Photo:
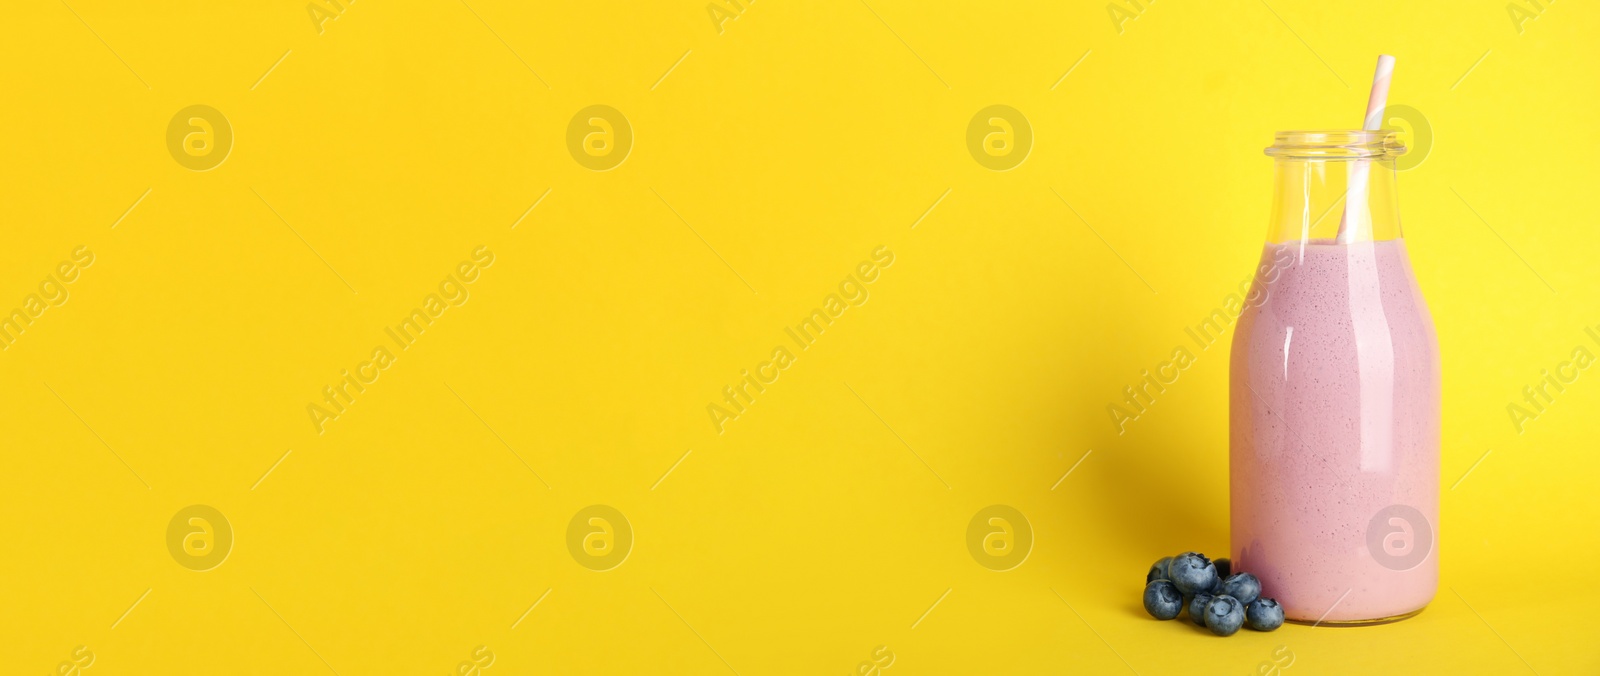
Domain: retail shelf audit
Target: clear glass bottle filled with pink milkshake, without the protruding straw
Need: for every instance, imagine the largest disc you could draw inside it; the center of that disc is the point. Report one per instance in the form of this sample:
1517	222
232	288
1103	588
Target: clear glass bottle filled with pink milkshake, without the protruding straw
1335	395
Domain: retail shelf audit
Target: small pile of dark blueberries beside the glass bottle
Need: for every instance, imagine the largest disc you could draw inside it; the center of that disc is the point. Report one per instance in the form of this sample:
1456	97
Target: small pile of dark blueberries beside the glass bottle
1218	602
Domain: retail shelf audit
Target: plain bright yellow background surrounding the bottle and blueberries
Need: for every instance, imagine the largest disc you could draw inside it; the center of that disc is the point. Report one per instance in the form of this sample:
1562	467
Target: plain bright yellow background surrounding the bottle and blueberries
783	150
